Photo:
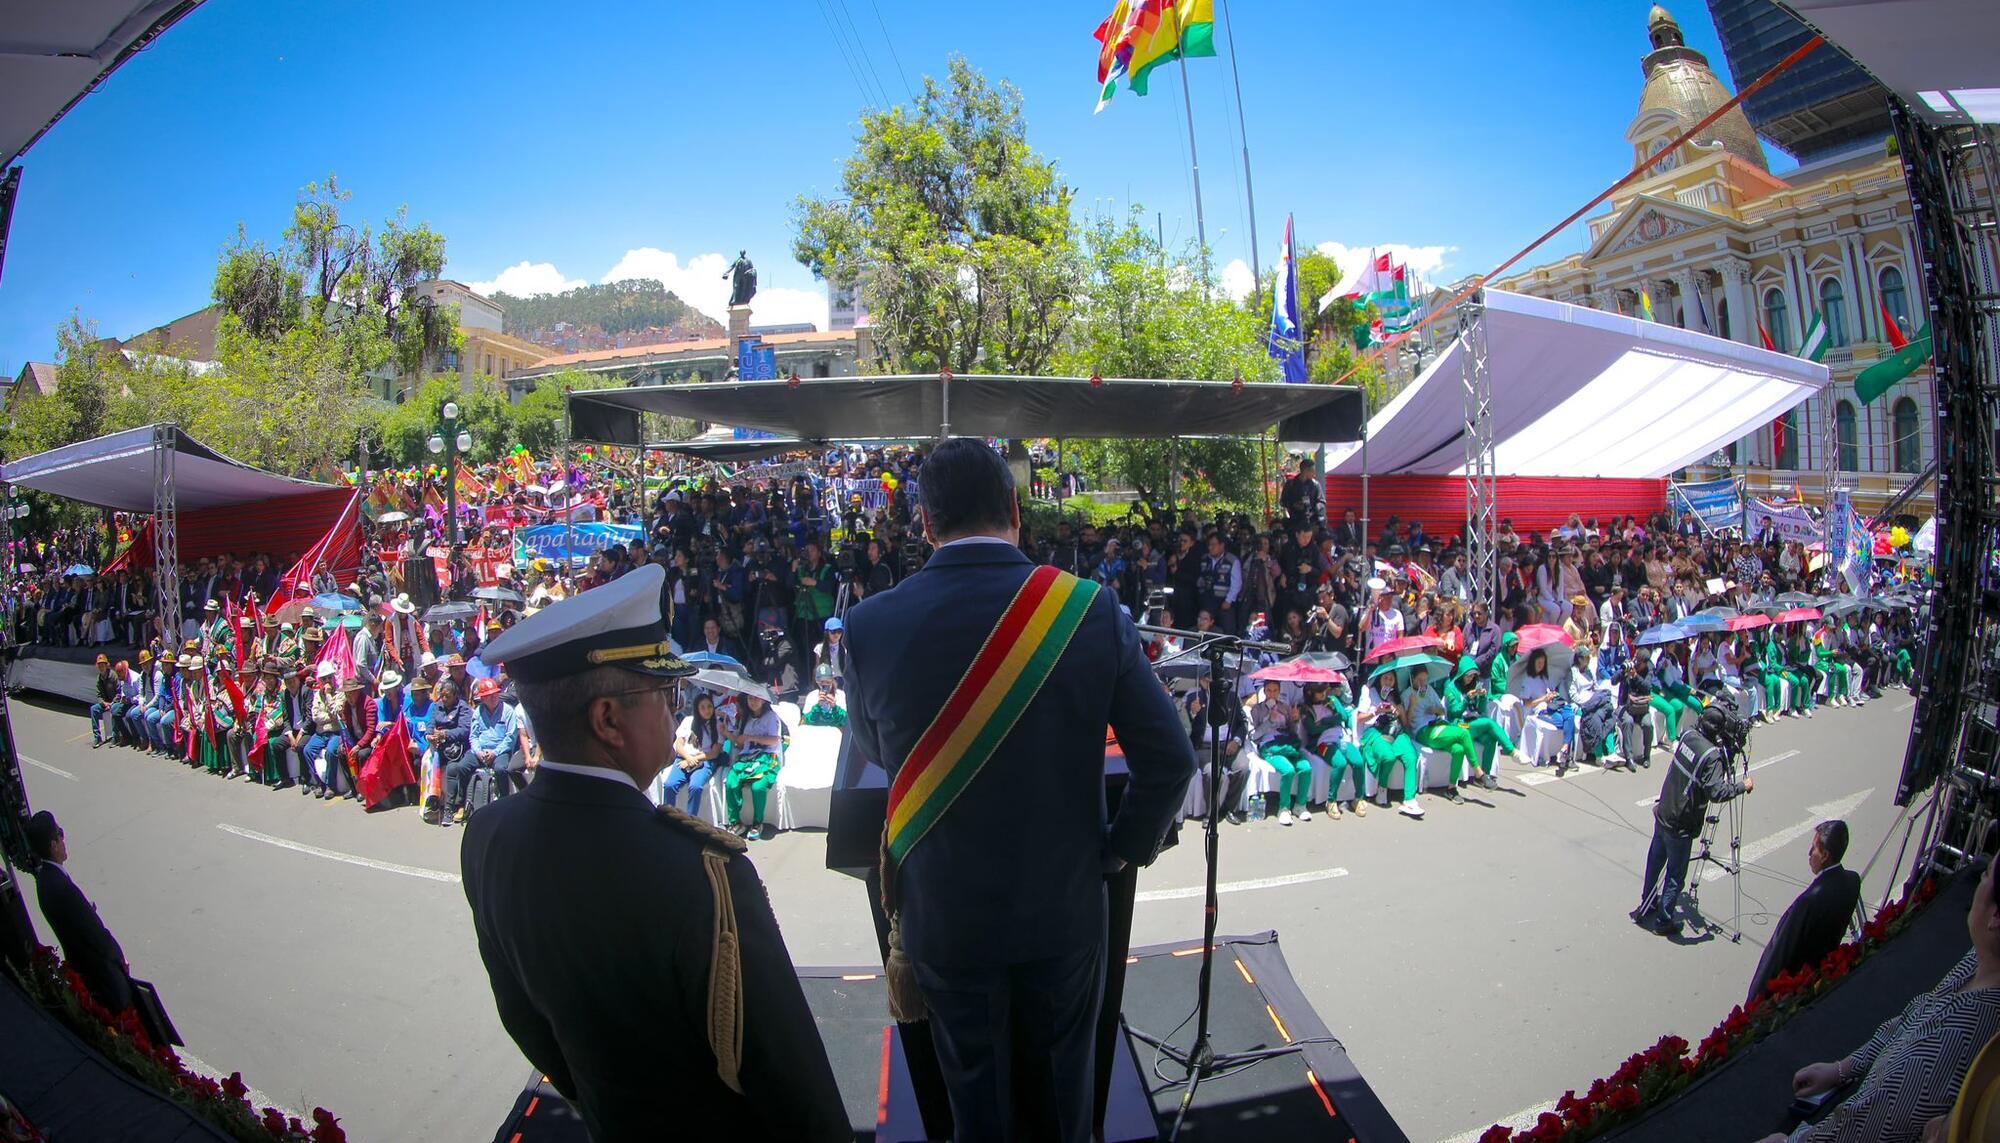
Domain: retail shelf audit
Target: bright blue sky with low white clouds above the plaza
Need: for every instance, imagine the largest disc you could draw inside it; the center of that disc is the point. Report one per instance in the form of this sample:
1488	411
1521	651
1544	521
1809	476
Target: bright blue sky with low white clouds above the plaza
561	145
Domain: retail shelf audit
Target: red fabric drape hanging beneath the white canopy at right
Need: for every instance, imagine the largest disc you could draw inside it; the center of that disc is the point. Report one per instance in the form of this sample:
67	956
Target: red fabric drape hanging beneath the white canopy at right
1533	503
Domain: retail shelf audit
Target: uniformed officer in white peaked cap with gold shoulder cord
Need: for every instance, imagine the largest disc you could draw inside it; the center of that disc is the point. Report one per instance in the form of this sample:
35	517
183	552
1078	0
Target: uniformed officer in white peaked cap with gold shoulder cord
633	952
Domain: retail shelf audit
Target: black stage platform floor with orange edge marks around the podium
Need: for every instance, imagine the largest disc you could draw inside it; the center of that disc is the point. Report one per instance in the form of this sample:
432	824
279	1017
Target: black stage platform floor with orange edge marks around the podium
1295	1098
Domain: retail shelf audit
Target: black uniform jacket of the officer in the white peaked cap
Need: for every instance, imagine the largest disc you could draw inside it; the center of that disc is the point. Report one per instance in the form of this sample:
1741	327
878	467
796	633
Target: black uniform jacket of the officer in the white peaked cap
595	922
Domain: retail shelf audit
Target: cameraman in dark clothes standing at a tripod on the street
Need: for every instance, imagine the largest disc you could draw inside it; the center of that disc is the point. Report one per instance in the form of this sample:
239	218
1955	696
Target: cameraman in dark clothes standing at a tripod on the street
1699	776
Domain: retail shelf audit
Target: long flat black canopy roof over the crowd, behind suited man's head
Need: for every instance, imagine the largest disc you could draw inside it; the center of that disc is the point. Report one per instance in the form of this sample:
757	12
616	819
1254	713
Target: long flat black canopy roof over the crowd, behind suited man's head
927	407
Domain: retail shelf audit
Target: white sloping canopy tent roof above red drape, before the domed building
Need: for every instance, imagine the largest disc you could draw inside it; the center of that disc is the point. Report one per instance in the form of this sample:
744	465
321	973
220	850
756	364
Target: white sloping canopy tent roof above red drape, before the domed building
1585	395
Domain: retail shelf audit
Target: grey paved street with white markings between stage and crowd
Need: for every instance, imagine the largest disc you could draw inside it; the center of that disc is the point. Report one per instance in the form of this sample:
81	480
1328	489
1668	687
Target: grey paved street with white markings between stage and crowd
1477	964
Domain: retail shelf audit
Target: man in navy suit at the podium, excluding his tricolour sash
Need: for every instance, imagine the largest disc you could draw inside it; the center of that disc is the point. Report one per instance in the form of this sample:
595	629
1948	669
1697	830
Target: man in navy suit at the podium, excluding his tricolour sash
1005	926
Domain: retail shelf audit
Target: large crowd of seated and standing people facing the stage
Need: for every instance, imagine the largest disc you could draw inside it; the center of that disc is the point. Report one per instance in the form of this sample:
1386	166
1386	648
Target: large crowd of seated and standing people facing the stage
759	572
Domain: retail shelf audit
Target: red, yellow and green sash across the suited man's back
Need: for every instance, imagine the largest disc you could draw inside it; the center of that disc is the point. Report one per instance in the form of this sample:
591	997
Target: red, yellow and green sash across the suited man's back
985	706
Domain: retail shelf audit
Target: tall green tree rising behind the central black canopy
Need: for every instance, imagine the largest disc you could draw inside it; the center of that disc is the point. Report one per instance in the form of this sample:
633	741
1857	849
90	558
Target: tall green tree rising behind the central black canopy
953	229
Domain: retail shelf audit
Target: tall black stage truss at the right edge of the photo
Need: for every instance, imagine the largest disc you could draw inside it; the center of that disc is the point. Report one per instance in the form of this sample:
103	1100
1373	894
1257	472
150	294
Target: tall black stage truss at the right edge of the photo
1953	740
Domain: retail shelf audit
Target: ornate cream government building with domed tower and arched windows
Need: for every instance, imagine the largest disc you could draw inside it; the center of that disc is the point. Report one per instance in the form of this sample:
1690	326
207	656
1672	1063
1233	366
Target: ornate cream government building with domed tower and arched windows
1723	245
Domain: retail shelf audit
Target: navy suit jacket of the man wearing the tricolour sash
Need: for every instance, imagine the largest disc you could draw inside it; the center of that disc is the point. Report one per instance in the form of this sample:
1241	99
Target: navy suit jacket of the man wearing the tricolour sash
991	886
